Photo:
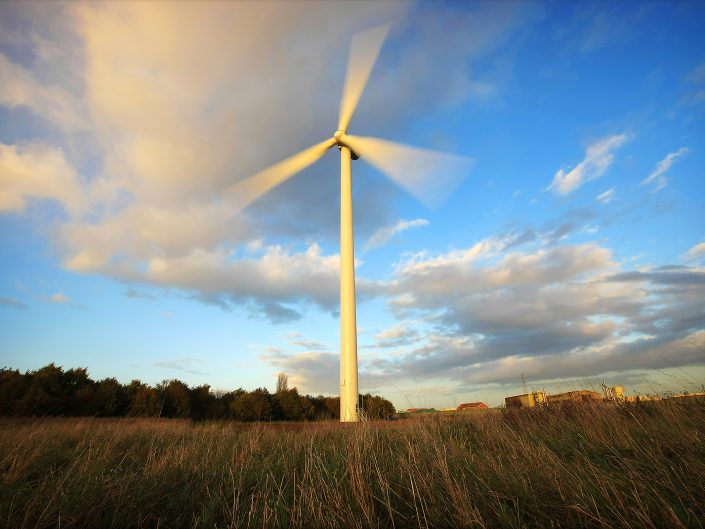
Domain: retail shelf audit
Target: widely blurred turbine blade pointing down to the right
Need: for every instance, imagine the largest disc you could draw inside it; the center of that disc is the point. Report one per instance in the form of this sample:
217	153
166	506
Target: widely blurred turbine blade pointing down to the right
430	176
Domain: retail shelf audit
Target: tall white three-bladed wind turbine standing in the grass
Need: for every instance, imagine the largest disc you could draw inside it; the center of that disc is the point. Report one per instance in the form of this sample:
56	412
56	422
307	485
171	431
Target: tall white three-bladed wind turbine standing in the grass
428	175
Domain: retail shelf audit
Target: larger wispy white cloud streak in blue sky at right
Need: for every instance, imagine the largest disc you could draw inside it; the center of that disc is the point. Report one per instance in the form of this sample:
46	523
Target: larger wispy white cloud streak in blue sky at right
598	158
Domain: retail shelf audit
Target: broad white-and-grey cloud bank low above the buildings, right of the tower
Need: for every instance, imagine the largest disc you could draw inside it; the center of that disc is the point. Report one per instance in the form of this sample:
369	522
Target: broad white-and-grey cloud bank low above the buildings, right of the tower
520	311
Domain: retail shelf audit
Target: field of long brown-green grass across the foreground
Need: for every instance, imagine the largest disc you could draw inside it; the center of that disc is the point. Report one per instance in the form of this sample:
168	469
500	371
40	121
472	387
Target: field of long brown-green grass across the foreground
640	466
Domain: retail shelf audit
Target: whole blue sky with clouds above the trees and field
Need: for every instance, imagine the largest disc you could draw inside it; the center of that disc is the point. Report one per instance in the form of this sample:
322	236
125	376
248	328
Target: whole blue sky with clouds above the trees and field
573	252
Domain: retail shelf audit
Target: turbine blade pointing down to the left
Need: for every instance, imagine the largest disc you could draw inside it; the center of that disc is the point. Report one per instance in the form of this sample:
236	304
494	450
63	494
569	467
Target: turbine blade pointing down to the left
246	191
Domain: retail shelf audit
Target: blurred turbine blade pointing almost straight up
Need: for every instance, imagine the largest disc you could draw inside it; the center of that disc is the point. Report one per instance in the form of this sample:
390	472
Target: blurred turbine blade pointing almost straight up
364	50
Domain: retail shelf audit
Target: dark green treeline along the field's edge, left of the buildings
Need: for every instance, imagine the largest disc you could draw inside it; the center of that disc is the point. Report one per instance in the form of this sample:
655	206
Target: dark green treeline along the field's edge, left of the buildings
53	391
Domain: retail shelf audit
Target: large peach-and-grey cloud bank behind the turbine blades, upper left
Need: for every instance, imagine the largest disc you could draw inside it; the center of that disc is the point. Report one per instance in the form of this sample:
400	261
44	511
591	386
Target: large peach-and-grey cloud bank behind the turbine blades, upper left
150	112
